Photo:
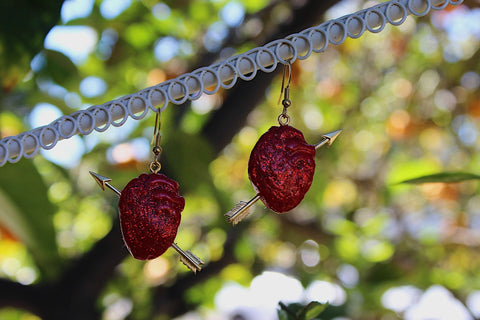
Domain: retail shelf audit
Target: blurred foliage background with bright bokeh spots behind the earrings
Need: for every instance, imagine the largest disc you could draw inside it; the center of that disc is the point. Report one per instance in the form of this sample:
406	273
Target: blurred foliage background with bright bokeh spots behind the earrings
407	99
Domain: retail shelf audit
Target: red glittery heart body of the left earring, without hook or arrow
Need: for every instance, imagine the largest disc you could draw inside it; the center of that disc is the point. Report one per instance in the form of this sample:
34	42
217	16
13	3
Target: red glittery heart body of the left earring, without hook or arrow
150	212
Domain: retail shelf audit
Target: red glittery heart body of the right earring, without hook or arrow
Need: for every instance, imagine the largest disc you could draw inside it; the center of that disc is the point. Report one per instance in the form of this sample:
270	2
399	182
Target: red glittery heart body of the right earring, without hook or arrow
281	168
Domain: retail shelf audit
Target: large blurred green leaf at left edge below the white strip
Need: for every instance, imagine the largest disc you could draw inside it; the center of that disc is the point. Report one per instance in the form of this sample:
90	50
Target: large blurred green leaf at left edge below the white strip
28	214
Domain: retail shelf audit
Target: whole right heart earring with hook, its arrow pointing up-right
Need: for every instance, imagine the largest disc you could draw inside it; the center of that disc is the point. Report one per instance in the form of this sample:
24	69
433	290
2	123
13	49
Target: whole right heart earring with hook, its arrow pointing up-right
281	165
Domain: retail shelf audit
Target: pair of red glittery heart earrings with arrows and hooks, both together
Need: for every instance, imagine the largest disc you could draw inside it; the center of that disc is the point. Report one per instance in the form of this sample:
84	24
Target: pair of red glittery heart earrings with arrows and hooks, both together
280	168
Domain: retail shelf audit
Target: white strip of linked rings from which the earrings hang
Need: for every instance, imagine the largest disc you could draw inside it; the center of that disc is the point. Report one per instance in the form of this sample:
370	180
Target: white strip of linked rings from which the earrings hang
224	74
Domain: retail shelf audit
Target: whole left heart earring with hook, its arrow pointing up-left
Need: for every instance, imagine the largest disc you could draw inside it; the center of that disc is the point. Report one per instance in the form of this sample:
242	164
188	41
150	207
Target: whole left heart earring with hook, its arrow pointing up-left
150	211
